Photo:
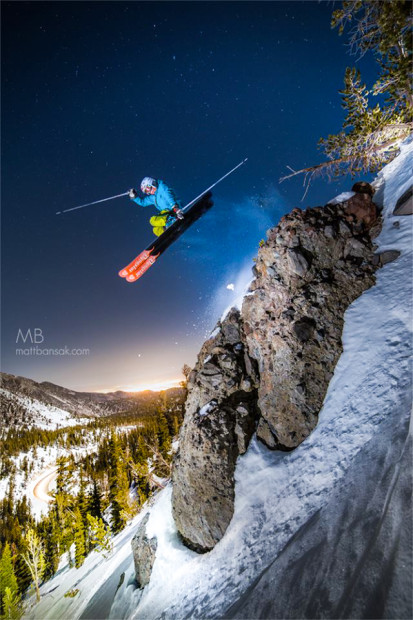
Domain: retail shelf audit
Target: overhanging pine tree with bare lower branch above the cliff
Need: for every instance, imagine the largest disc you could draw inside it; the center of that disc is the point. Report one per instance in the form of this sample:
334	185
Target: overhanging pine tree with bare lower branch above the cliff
371	135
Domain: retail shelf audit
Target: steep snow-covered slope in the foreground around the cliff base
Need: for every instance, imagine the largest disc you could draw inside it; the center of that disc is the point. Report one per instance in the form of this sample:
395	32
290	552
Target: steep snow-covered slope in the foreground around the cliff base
320	532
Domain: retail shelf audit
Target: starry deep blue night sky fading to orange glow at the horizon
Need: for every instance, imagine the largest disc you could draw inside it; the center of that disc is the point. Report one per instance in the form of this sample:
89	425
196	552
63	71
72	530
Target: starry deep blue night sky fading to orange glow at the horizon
96	95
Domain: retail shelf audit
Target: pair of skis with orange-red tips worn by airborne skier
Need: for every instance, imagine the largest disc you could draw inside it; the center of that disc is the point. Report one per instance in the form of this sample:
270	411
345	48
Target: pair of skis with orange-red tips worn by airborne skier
149	256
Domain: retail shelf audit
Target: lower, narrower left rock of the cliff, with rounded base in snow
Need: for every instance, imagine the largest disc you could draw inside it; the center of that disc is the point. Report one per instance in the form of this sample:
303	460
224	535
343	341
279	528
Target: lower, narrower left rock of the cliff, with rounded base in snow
220	418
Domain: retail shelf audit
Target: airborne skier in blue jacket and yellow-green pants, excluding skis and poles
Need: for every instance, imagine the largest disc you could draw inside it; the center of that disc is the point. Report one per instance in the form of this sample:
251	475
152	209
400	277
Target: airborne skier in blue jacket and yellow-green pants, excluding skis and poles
161	196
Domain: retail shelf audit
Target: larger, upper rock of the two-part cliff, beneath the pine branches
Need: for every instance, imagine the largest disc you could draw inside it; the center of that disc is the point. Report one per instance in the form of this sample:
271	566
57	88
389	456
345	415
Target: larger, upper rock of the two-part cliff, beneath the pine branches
313	265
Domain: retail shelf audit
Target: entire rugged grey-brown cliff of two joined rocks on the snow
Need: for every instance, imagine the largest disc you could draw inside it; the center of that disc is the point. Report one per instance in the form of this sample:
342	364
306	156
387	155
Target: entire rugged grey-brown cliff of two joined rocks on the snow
268	366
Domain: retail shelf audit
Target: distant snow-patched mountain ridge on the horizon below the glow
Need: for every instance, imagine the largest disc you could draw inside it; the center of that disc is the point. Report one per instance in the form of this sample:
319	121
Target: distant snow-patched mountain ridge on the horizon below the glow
21	400
